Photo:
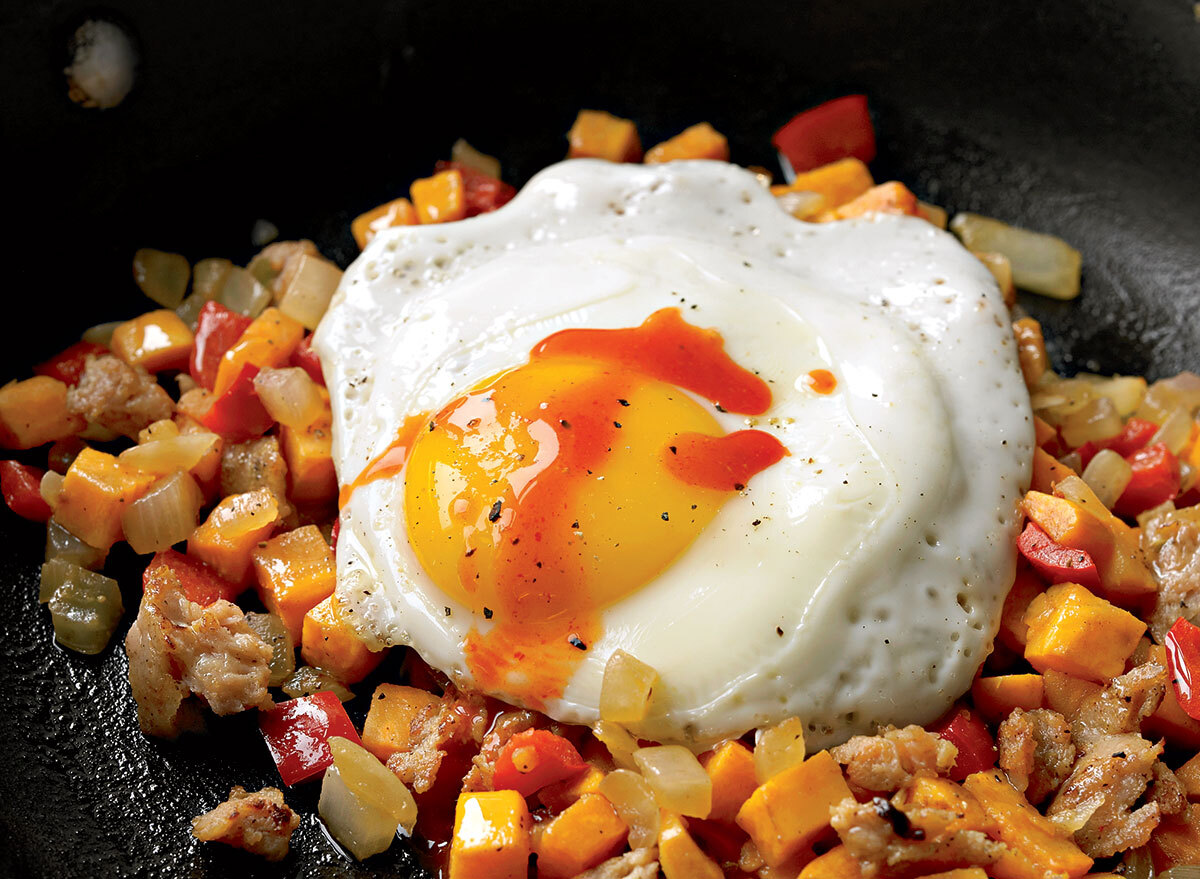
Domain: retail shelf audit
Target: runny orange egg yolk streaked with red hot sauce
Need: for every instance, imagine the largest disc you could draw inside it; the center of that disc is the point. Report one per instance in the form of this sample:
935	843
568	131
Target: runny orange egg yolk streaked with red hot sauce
555	489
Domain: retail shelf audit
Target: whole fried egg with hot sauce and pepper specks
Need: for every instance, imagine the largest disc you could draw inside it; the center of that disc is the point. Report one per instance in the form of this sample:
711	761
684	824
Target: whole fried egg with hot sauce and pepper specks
644	409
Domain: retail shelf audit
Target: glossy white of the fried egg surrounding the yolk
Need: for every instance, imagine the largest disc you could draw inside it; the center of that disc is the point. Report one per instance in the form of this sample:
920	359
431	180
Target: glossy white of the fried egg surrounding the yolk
859	582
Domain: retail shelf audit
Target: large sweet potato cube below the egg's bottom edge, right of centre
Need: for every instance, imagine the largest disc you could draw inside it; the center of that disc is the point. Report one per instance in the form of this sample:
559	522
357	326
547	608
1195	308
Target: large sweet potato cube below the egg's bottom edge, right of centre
787	814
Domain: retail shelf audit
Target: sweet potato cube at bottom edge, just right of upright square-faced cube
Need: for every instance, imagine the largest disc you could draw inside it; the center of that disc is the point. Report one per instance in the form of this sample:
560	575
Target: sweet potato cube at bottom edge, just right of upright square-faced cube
587	833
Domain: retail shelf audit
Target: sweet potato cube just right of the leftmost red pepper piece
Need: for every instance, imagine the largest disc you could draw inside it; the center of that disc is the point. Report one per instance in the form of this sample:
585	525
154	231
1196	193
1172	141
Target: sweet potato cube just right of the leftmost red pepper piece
95	493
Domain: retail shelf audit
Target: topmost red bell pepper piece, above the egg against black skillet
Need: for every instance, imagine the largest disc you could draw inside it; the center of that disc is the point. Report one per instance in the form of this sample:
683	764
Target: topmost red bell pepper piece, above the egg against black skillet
835	130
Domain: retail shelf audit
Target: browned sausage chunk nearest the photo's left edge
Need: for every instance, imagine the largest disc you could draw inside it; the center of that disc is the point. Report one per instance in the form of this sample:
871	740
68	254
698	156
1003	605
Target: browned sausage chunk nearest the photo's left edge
118	397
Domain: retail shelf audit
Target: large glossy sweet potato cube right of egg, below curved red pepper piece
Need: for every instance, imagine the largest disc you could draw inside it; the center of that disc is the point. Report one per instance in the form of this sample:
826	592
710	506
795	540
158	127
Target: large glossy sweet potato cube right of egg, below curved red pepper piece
1075	632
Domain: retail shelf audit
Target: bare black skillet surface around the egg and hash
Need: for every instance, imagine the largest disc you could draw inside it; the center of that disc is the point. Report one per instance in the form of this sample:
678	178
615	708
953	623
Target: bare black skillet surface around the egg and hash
1079	118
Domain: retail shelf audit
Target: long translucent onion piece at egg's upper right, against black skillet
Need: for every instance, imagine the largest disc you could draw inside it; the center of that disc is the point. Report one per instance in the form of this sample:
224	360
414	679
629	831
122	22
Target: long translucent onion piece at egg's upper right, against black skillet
1041	264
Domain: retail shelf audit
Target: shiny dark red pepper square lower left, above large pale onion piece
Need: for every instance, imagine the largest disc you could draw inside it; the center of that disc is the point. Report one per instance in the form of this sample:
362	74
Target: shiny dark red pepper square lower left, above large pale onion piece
298	732
